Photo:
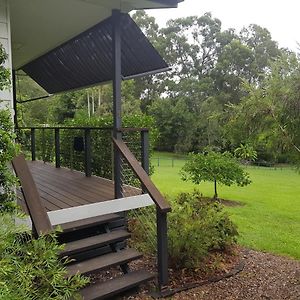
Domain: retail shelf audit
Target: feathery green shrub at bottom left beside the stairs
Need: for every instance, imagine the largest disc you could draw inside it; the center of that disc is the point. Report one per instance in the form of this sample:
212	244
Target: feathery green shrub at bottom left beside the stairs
30	268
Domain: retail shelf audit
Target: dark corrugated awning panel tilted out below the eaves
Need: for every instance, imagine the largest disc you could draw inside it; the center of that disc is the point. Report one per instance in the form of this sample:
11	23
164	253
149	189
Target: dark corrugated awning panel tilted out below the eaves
87	59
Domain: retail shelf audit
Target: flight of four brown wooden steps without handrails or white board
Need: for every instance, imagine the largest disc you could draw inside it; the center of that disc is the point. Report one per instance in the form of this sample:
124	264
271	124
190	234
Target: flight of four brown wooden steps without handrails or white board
93	247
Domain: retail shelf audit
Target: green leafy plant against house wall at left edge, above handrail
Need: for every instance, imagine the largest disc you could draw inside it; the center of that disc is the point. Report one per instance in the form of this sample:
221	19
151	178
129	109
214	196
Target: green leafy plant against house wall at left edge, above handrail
8	150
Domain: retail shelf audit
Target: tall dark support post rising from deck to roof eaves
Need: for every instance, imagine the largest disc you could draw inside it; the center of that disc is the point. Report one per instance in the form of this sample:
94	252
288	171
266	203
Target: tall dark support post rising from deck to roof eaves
116	17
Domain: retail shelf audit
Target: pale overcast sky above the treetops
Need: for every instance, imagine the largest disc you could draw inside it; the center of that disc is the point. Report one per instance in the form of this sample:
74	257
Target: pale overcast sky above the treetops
281	18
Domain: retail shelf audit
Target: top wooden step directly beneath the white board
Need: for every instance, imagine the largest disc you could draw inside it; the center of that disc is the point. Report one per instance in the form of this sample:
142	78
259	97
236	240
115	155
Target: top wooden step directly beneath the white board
89	222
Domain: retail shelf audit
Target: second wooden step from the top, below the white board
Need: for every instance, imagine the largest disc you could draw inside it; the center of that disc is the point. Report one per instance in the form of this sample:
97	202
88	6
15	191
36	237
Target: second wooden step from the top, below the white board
94	242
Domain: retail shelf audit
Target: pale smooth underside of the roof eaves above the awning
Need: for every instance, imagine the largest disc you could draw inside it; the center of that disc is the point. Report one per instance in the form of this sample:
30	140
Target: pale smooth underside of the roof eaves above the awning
39	26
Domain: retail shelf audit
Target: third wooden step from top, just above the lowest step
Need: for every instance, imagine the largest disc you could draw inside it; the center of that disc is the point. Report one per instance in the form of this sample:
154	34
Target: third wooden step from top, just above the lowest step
103	262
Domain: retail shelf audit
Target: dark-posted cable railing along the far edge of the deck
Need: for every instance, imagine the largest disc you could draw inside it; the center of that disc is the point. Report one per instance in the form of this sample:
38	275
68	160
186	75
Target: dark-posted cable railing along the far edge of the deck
141	147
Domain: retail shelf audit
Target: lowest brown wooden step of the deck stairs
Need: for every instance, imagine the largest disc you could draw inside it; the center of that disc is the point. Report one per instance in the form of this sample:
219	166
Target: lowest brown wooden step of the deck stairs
115	286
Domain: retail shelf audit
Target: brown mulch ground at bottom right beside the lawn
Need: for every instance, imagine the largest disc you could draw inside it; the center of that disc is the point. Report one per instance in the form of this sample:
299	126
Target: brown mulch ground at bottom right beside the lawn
250	275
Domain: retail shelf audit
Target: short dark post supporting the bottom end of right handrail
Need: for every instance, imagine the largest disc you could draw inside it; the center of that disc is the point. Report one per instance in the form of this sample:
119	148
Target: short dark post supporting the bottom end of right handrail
162	248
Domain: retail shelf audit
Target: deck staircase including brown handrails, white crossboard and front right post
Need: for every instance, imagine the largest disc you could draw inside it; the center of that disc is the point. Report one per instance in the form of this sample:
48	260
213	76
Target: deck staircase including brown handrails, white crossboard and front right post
94	234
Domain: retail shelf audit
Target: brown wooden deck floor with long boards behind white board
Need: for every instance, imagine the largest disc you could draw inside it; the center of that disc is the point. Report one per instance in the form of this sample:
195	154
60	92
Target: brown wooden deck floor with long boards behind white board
63	188
